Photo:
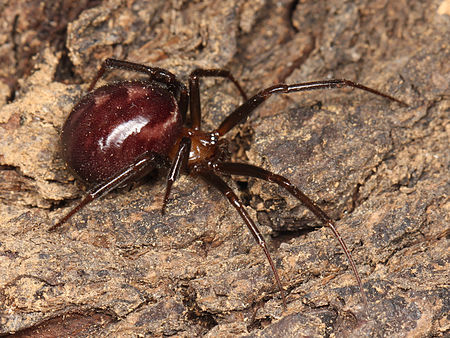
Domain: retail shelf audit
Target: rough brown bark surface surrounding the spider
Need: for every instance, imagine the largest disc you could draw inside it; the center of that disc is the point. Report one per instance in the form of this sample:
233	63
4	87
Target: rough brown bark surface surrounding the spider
120	268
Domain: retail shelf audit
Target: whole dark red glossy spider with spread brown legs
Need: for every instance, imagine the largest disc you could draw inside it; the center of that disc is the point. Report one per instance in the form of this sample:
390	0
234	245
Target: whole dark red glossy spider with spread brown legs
120	132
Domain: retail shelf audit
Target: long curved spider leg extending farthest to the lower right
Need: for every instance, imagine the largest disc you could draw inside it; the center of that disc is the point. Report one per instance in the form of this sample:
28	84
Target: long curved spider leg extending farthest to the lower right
253	171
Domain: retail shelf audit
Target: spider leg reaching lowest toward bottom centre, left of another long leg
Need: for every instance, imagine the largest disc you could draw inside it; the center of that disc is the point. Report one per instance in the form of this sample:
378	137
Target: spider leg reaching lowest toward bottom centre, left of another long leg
212	179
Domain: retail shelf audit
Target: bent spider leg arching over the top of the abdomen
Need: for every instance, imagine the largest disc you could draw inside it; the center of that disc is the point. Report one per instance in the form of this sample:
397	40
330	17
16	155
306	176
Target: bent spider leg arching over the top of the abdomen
157	74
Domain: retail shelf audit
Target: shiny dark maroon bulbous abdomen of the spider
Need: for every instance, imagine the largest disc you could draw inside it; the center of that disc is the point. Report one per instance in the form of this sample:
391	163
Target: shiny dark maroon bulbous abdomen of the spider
115	124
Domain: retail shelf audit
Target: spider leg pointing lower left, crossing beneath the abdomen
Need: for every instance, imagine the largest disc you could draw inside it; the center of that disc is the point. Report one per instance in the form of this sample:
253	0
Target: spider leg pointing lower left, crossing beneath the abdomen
136	170
